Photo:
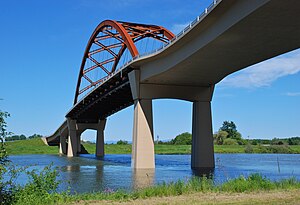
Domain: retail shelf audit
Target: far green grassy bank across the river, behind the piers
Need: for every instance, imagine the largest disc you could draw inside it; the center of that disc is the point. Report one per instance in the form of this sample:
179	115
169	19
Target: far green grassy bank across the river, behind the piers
36	146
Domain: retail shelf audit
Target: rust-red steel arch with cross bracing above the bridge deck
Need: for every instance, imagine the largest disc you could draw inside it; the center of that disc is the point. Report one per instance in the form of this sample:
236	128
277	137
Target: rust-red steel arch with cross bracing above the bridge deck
126	34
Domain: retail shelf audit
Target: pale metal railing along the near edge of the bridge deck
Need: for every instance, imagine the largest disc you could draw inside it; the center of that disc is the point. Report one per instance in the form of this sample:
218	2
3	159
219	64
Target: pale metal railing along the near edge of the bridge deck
156	51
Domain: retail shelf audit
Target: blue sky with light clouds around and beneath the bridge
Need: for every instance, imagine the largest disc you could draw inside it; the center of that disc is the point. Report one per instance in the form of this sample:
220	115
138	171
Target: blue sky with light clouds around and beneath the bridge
42	44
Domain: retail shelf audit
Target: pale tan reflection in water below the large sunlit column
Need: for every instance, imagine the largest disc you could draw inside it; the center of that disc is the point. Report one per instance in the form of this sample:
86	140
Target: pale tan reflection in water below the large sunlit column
142	178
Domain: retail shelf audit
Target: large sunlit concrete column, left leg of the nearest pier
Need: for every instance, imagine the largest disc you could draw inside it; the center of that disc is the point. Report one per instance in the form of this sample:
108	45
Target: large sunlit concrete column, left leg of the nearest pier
142	141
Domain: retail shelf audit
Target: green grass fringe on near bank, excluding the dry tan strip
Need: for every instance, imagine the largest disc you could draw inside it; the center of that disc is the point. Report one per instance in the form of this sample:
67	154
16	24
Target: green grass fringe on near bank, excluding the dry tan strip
253	183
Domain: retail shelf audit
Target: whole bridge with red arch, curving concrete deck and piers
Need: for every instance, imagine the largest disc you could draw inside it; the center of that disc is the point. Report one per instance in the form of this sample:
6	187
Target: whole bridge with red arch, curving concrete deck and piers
228	36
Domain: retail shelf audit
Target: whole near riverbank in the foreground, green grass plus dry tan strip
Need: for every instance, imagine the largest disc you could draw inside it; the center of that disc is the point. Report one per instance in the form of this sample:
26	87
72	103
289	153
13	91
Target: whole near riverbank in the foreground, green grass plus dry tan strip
254	189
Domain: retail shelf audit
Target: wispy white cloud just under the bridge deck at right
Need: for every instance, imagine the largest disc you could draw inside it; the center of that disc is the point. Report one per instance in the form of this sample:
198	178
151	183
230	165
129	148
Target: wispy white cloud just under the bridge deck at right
264	73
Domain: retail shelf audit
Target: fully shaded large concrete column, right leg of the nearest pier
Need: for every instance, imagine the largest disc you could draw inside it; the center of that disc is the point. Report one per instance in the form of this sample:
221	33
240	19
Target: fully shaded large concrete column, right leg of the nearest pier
202	137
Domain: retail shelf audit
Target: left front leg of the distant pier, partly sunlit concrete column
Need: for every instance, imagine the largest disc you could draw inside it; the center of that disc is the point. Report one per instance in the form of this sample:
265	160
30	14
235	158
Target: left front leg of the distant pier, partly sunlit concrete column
72	138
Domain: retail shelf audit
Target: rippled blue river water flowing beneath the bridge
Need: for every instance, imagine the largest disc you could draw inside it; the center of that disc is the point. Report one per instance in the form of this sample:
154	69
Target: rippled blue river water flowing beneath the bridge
87	173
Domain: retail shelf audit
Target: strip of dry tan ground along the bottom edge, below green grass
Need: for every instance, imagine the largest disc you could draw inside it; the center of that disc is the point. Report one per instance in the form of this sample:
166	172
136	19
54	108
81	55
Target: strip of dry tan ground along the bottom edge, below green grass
273	197
